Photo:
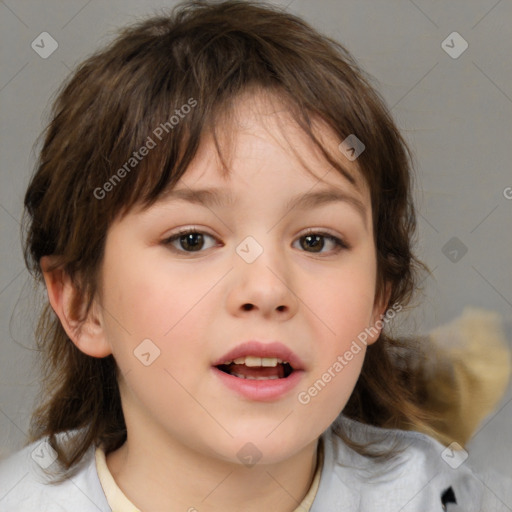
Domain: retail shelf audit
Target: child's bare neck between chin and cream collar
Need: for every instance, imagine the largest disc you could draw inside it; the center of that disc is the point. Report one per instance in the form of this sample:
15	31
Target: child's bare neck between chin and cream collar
165	476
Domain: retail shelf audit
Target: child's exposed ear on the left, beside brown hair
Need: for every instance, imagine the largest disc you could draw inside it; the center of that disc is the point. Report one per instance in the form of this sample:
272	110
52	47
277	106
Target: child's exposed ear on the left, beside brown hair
87	334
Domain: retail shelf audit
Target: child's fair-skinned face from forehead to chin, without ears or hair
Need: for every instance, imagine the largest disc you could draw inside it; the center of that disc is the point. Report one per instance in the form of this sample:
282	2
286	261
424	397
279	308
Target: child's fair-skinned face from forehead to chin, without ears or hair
276	263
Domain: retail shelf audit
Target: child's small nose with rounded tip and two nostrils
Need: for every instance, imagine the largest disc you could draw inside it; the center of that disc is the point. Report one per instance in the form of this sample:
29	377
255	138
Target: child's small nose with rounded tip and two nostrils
263	287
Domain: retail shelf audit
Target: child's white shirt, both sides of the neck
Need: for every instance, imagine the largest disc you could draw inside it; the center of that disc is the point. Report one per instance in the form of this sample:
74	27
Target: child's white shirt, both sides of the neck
413	481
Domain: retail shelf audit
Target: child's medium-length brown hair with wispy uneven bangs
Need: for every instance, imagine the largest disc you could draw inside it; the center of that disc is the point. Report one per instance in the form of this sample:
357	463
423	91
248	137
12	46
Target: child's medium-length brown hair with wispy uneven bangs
209	53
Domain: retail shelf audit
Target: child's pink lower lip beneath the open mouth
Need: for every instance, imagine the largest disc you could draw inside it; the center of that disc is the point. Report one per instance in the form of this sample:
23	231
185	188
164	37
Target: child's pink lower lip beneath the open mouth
261	390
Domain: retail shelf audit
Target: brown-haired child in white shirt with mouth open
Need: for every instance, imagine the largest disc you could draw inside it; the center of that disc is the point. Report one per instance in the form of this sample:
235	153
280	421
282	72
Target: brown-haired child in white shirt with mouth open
222	217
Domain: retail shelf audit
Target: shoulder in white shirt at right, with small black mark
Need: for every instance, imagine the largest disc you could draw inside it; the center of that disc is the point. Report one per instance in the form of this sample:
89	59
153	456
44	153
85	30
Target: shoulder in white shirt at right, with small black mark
420	475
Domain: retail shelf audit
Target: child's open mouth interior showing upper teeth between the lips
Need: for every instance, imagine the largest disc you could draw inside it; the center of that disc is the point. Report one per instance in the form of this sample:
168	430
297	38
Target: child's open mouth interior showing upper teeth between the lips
257	368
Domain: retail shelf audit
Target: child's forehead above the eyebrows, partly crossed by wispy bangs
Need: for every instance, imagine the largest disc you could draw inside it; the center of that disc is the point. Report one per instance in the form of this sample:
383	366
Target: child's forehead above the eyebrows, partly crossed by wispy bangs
260	130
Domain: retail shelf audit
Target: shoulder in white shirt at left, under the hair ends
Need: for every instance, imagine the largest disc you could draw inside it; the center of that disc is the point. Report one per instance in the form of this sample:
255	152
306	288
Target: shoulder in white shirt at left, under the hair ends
25	484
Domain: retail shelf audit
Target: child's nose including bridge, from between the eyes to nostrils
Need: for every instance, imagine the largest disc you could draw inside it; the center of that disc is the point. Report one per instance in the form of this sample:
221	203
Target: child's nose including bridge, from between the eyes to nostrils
262	277
